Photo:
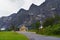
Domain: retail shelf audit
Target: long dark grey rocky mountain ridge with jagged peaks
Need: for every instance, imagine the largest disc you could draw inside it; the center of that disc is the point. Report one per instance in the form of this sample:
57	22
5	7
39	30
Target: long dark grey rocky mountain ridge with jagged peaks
48	9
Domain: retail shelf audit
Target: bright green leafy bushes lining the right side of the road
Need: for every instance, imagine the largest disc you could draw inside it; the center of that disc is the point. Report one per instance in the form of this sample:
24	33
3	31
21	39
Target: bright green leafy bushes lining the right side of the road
51	30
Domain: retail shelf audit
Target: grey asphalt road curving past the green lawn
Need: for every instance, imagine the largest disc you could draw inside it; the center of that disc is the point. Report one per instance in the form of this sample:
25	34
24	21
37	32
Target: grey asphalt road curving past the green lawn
33	36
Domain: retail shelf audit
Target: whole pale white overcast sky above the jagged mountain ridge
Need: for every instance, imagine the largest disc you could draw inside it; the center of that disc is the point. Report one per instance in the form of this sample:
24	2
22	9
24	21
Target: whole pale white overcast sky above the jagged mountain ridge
8	7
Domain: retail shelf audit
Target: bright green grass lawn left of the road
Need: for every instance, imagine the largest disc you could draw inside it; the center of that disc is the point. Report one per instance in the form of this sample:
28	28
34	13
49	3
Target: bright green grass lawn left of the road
12	36
